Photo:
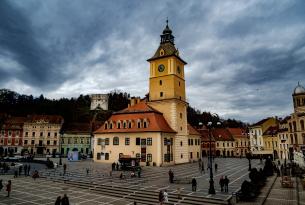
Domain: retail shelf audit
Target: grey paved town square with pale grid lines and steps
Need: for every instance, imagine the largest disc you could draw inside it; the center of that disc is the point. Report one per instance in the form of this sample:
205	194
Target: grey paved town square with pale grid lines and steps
98	187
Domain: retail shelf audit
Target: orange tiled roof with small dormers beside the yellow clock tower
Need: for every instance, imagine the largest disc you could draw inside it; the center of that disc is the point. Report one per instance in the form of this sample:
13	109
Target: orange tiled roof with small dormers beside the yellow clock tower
155	120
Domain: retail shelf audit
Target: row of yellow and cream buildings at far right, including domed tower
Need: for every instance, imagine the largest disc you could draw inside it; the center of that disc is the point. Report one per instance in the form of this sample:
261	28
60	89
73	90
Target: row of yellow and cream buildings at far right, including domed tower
280	137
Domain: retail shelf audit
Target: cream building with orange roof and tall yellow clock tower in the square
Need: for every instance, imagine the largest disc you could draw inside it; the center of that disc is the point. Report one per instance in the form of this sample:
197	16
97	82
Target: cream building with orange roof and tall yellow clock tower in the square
153	129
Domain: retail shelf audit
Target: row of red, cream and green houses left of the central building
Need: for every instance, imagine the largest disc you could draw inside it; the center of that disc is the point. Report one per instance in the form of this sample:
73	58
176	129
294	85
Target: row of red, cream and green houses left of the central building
44	134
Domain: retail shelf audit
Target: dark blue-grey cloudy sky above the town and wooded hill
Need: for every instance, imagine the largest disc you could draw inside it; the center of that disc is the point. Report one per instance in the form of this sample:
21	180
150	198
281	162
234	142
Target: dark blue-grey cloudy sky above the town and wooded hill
244	57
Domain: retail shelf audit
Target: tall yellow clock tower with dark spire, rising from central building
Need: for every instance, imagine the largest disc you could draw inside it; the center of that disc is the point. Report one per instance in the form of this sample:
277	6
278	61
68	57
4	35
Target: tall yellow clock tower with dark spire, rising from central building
167	90
